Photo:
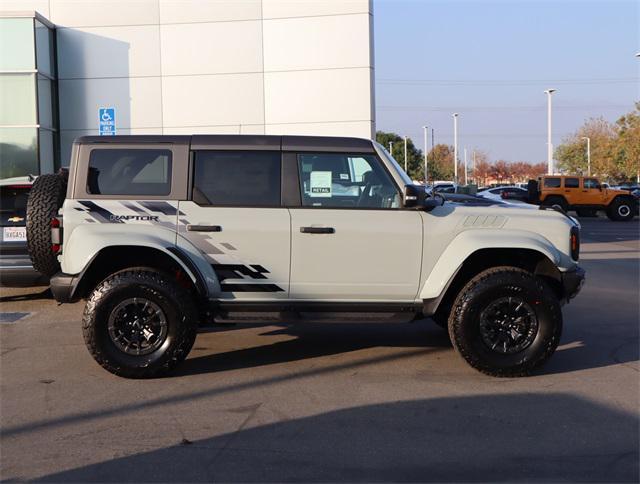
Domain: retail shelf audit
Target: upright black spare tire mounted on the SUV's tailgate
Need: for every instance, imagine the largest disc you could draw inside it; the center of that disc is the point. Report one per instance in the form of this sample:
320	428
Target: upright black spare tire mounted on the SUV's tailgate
45	199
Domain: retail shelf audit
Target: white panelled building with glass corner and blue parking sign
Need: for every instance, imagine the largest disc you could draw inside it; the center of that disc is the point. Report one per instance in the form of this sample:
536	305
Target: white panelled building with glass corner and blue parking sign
70	68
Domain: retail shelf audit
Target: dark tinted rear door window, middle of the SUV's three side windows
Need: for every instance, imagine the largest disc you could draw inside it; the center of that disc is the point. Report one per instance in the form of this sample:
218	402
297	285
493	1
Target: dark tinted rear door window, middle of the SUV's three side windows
237	178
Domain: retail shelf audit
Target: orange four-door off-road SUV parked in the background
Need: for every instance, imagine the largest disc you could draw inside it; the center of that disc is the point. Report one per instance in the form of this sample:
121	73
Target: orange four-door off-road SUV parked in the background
585	195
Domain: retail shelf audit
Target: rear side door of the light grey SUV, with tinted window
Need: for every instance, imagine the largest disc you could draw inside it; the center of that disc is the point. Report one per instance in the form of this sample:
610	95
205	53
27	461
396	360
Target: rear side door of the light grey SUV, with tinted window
235	217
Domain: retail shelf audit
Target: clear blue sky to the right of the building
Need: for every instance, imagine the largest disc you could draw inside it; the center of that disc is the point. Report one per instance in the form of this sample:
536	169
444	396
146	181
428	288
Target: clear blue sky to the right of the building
584	49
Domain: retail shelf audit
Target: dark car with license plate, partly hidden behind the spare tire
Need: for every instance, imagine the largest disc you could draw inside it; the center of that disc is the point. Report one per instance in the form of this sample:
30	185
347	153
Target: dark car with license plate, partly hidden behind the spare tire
16	268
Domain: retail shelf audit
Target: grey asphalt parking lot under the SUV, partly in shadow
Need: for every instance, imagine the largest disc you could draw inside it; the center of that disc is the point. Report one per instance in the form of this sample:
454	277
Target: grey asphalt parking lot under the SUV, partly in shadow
331	402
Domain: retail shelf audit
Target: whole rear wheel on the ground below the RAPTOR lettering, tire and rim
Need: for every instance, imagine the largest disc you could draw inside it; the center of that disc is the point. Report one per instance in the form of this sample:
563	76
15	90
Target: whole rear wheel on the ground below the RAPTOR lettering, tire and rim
139	323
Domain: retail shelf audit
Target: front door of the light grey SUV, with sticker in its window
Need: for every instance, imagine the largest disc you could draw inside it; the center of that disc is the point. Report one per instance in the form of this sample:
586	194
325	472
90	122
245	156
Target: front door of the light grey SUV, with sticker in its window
351	240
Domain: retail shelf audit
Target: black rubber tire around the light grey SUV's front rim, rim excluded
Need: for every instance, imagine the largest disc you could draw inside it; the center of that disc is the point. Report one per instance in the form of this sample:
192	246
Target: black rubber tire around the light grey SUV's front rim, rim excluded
478	294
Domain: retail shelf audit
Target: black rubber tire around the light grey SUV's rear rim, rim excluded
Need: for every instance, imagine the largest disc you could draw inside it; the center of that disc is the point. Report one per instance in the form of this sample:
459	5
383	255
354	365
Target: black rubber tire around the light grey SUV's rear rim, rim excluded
160	288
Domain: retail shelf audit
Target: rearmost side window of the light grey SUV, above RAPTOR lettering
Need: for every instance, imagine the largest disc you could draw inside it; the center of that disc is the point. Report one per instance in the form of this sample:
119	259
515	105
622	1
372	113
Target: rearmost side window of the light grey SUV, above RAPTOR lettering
136	172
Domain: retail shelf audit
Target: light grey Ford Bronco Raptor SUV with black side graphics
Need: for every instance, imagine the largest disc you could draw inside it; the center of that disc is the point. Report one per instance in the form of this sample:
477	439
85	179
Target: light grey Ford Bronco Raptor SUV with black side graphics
162	233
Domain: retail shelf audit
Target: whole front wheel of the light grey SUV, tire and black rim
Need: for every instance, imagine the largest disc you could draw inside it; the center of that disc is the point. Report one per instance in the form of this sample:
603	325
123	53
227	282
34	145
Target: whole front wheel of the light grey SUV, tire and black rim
506	322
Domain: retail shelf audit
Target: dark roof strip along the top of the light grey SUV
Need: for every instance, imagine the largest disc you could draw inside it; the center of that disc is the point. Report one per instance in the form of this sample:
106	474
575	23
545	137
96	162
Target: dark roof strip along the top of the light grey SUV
242	142
